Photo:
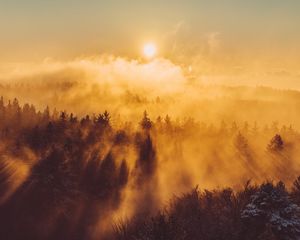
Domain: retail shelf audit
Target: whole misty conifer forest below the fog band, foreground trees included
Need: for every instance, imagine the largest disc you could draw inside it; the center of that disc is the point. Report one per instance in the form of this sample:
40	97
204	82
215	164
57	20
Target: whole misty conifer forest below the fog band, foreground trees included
65	177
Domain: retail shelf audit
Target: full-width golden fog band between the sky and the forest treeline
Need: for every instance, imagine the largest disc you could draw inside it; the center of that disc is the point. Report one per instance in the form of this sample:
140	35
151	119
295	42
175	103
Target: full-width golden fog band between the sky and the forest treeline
128	87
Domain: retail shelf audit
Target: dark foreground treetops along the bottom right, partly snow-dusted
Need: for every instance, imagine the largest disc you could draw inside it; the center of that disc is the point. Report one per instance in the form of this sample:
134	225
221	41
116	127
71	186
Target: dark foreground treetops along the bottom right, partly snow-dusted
263	212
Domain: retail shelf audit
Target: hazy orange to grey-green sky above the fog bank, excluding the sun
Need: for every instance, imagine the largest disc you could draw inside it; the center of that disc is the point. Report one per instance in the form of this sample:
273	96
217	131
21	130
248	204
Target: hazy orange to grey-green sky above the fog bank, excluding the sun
216	37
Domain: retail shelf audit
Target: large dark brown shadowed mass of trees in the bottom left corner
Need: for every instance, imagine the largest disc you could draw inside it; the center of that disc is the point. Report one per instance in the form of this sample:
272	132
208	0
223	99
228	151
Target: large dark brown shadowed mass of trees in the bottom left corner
60	201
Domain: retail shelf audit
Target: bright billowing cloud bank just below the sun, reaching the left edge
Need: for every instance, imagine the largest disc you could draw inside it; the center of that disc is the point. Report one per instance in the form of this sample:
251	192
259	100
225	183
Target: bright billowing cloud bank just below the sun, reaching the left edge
89	85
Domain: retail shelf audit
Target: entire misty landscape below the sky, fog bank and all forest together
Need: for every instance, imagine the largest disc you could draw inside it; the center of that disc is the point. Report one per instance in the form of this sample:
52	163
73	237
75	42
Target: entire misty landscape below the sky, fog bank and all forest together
99	150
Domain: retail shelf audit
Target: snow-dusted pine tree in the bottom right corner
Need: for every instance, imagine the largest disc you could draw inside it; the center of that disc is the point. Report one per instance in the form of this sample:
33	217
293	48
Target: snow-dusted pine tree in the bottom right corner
271	207
